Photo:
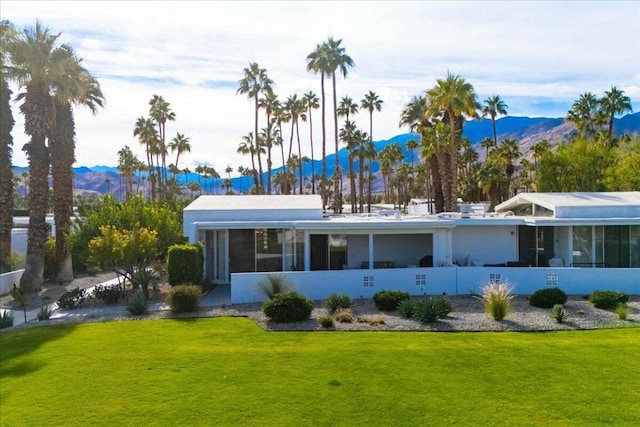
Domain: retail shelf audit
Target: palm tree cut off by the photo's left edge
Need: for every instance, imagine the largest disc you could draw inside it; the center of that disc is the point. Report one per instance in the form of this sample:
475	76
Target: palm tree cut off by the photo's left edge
7	36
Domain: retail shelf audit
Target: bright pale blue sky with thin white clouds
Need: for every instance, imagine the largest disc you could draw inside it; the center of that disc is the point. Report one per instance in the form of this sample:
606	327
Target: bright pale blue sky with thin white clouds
537	56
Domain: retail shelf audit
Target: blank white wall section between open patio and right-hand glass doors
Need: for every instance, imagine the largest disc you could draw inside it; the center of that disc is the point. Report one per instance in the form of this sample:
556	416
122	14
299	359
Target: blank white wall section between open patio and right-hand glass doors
486	245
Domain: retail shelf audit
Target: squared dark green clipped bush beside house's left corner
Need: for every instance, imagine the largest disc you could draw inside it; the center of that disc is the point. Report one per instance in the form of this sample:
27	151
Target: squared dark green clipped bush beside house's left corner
185	264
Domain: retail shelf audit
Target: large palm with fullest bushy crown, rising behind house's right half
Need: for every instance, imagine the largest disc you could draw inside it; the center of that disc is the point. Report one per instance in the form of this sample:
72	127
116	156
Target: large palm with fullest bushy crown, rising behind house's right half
454	98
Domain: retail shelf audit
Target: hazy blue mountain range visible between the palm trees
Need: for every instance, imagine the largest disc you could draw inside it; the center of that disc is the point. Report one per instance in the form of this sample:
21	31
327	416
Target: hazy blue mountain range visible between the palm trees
526	130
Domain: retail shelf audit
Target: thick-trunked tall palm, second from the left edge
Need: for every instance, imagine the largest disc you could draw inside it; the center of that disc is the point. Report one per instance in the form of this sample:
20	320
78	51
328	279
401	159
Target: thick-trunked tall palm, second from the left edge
38	65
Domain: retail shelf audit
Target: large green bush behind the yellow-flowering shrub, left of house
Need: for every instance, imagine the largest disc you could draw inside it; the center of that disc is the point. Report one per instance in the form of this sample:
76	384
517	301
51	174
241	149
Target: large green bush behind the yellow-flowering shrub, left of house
164	219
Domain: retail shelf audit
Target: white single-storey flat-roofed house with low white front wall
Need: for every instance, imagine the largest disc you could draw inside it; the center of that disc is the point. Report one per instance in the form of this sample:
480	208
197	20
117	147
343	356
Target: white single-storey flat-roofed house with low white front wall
560	236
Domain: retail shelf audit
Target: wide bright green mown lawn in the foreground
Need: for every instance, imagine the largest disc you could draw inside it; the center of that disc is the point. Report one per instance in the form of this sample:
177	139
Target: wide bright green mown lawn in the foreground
228	371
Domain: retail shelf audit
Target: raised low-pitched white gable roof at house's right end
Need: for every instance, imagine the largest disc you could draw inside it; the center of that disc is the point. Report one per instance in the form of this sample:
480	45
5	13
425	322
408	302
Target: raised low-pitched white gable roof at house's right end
578	205
